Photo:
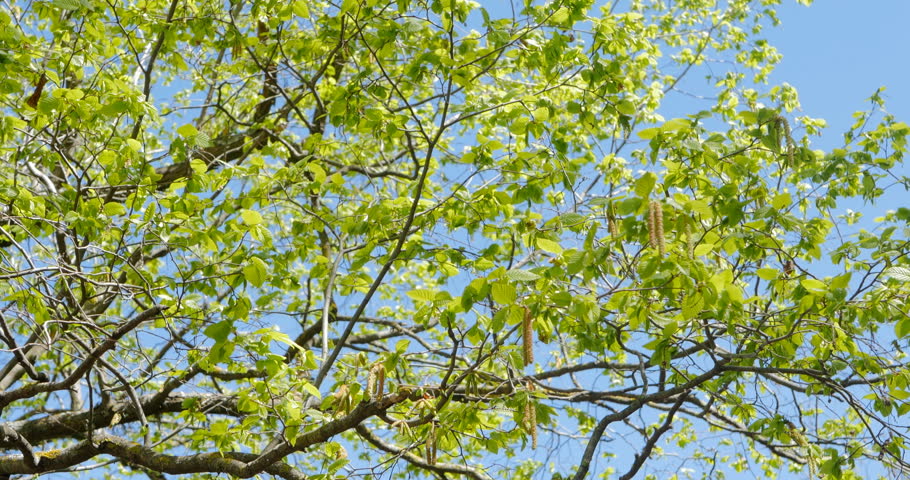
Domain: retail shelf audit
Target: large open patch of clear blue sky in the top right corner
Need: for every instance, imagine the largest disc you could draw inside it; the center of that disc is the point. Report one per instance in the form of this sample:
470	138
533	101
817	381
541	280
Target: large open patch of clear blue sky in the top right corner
838	52
